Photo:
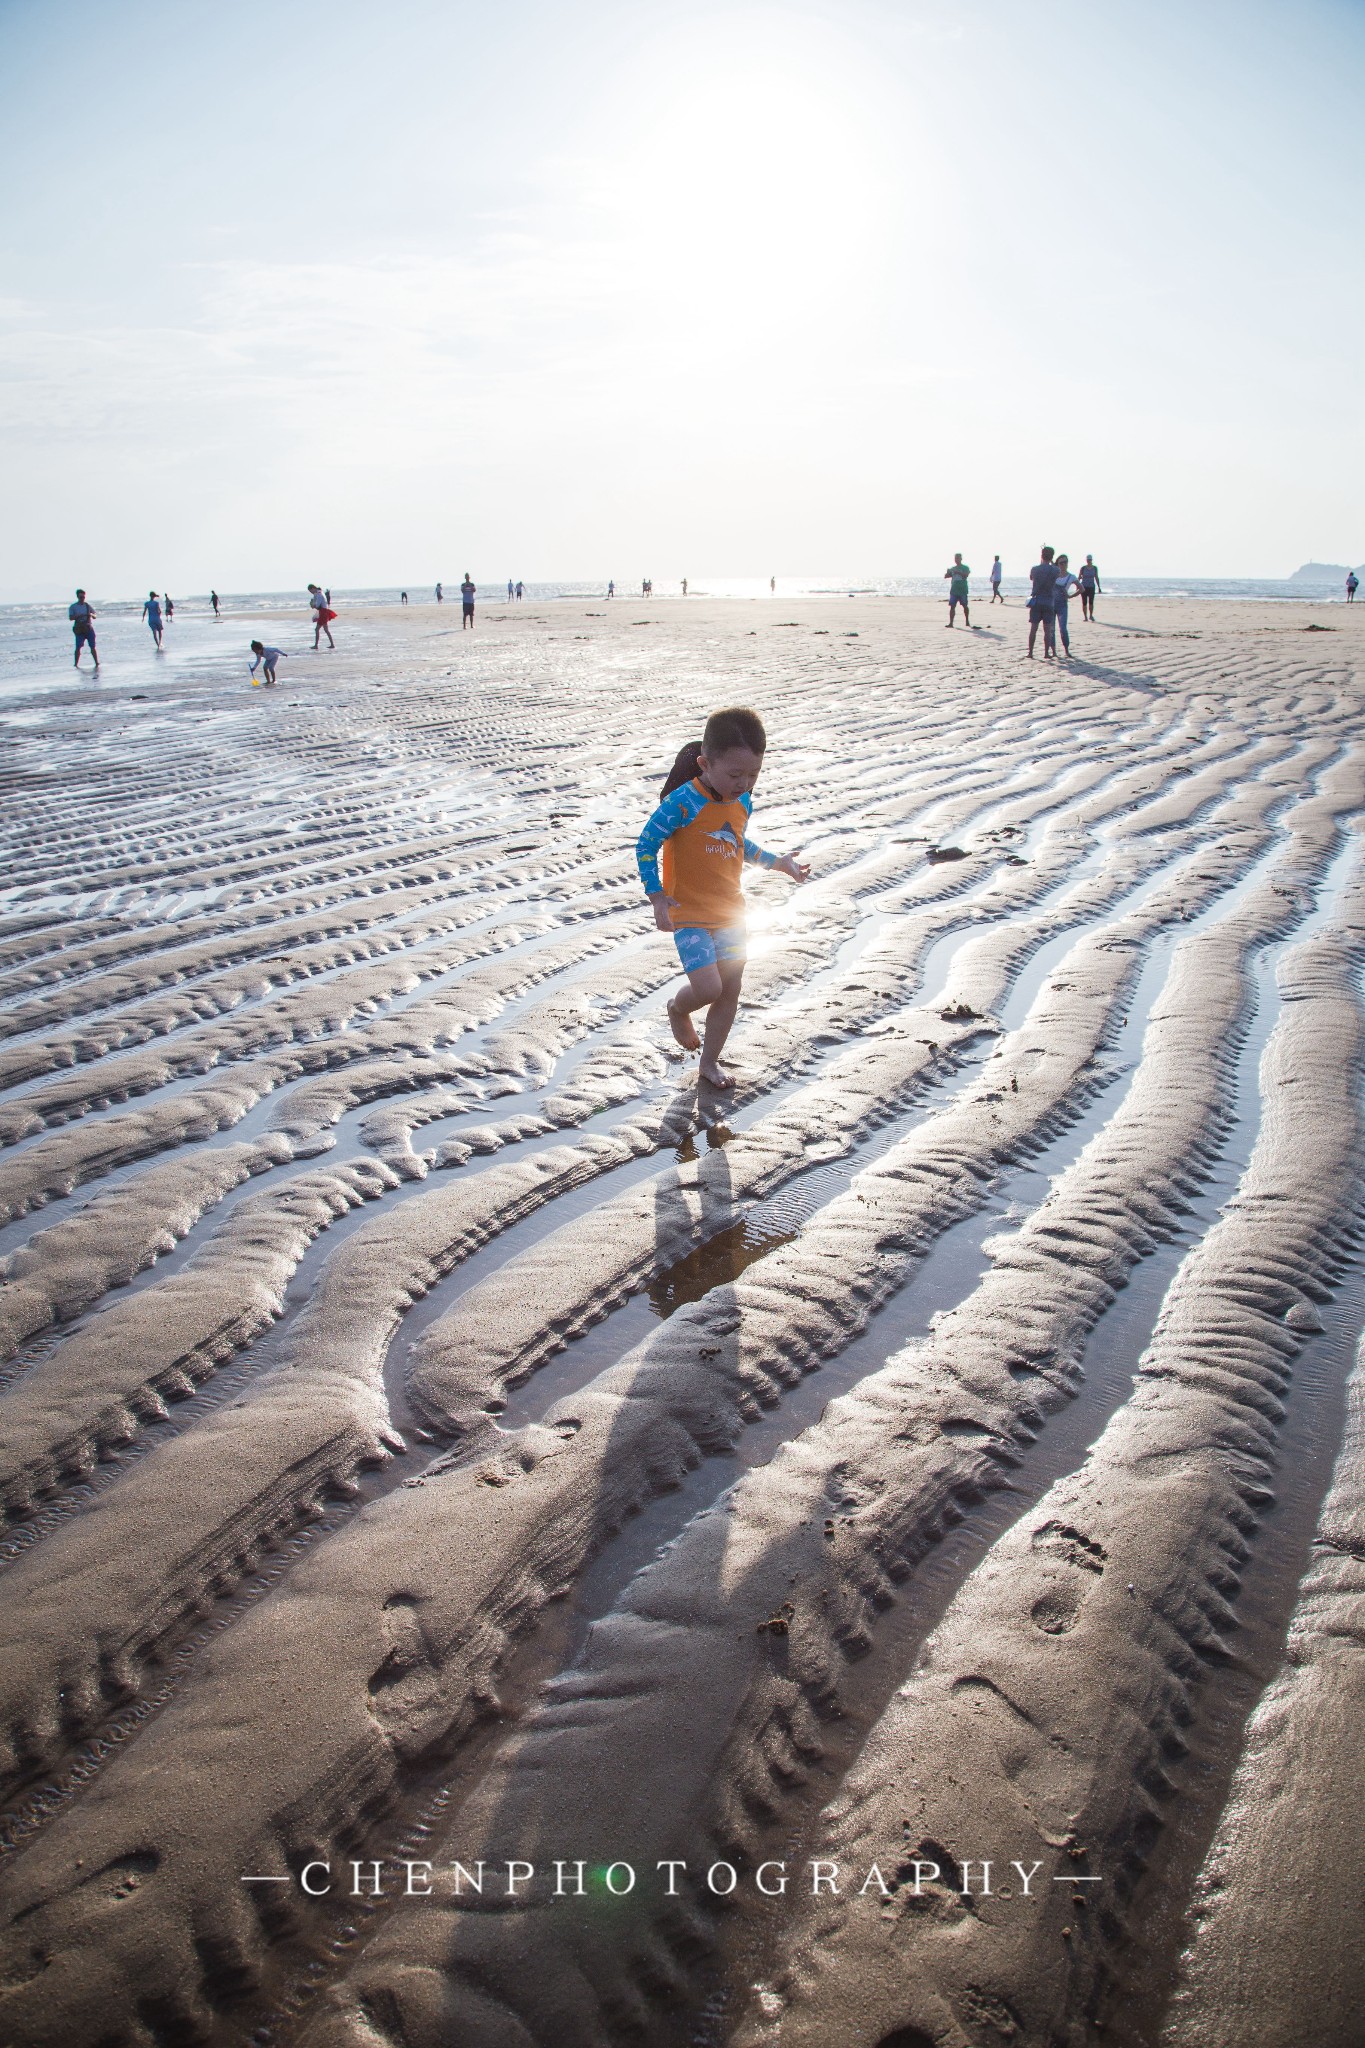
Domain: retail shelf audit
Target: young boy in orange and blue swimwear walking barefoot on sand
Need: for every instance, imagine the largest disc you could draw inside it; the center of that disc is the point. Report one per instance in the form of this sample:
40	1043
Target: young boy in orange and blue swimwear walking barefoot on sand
701	833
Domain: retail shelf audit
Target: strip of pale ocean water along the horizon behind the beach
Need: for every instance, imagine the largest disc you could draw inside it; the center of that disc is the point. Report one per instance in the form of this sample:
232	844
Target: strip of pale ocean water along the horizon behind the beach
36	640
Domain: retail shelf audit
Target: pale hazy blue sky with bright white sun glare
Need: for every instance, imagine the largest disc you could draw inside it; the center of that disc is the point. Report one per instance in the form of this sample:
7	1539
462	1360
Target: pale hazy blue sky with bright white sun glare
380	290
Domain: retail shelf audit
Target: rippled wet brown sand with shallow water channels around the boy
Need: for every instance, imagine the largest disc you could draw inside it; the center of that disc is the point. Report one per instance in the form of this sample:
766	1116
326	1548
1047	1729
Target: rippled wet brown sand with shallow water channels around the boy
435	1428
